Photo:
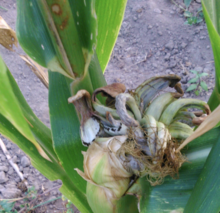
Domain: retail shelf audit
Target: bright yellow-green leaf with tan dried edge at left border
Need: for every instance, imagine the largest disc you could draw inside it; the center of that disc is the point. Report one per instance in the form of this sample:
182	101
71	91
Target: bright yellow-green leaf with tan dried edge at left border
18	113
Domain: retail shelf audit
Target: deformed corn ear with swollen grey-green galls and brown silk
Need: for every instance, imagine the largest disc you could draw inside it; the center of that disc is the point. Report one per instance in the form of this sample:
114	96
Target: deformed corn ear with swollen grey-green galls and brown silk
147	144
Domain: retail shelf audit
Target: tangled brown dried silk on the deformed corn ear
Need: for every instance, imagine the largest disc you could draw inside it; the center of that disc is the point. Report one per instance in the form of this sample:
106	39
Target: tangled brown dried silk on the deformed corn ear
165	163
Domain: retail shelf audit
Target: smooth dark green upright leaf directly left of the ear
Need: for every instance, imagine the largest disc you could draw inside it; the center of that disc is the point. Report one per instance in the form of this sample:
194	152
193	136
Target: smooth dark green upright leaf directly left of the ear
65	128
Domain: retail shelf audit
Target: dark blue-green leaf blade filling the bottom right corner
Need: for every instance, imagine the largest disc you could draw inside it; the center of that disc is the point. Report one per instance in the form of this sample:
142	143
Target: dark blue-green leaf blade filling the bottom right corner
206	193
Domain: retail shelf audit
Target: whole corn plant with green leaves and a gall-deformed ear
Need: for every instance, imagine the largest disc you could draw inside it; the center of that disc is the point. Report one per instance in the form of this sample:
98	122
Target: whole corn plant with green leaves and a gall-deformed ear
113	151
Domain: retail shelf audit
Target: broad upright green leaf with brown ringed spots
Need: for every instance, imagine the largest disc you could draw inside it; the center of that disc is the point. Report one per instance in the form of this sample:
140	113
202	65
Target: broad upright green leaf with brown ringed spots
59	35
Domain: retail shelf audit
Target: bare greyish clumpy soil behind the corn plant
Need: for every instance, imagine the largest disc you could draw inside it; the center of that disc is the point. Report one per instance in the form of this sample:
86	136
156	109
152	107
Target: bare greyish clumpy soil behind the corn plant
153	40
